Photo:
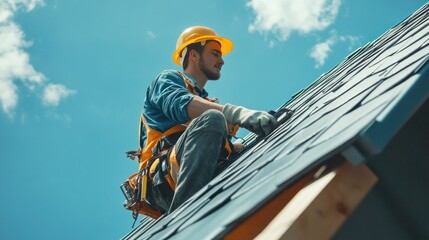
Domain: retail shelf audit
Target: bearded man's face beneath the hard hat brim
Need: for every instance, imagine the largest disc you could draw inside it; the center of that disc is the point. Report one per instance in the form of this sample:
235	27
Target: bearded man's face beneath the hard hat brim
211	60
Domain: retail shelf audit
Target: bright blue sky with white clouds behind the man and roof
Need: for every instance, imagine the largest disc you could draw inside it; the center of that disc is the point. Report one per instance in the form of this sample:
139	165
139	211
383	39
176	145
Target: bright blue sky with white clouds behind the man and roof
73	76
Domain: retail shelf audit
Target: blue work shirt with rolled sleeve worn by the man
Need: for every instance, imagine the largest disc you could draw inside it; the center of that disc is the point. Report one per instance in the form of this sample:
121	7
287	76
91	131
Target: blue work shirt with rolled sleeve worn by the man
166	102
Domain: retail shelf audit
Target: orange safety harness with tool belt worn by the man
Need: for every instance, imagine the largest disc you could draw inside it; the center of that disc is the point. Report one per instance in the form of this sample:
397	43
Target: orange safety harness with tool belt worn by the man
158	155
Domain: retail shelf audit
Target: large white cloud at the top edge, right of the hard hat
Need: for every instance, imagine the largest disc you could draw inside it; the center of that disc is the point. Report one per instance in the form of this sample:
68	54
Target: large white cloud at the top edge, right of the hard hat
282	17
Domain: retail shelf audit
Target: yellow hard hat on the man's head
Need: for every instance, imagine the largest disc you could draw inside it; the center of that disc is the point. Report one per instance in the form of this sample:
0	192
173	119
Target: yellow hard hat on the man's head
198	34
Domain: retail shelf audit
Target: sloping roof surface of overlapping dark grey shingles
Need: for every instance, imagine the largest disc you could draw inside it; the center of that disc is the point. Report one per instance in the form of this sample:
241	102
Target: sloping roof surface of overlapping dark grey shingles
361	103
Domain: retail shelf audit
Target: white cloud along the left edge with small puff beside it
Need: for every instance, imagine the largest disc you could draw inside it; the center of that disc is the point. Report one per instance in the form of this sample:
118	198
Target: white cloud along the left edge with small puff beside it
14	60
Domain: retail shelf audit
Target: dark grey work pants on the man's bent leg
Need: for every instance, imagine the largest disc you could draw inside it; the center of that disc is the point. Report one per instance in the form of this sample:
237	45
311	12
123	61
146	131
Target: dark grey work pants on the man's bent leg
197	151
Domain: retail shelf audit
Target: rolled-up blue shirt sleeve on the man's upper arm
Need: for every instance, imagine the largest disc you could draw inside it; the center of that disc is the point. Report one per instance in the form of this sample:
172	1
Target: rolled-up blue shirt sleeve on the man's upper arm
169	94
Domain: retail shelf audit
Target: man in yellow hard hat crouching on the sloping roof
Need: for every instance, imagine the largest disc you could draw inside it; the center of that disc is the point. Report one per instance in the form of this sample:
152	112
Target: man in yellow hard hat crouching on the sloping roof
184	133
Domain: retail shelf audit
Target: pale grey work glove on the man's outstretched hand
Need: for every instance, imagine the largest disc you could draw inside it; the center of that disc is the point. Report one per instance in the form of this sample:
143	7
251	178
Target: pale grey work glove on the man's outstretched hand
259	122
